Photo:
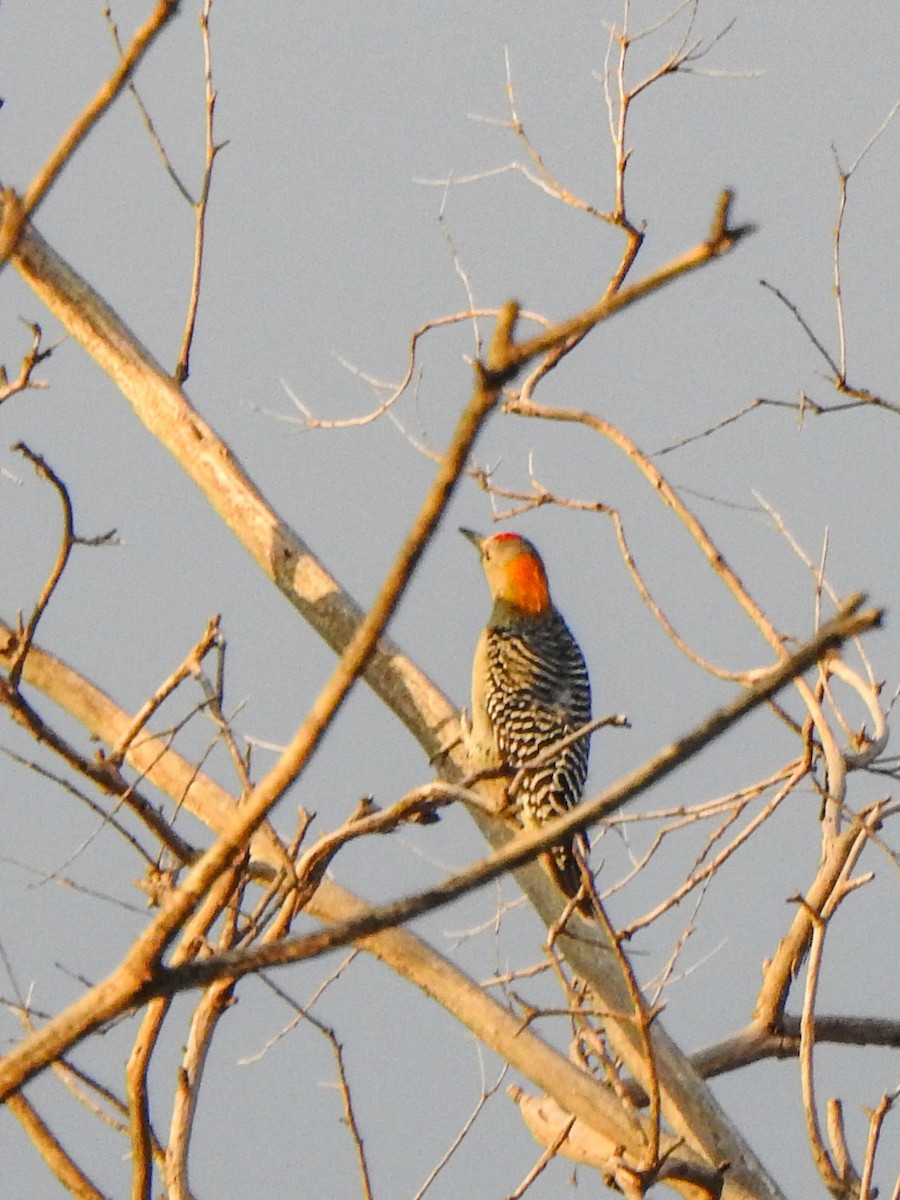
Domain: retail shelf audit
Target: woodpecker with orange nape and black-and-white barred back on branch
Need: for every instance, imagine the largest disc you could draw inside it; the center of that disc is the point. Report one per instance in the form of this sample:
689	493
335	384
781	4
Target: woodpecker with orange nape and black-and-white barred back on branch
530	689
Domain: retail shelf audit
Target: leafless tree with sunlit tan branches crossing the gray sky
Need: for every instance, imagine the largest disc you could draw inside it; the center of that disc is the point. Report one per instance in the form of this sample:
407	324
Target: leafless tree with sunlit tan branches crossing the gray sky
233	898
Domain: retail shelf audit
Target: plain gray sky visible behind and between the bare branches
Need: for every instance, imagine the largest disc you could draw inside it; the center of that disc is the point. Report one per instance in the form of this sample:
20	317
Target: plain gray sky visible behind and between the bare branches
323	248
